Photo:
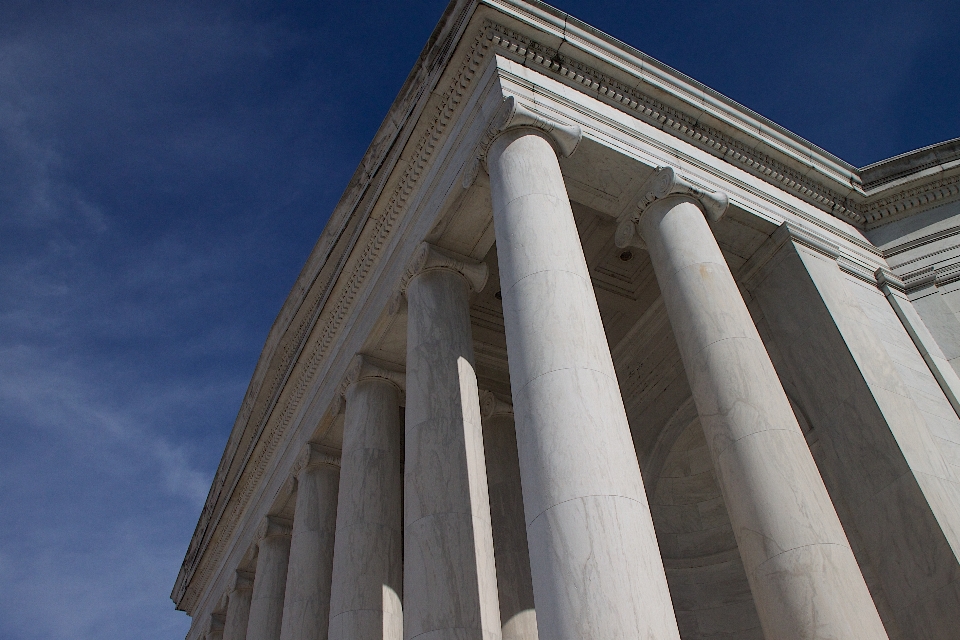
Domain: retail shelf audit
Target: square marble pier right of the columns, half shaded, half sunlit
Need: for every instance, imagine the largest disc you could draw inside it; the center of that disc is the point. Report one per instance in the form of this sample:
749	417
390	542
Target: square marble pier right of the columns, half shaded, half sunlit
882	465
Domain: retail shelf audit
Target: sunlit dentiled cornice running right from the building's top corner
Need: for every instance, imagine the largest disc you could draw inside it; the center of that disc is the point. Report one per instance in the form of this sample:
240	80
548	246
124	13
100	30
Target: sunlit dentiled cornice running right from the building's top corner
839	192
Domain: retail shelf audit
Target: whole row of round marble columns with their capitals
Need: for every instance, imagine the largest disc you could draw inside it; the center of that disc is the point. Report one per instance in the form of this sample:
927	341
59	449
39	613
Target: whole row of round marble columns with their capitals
401	542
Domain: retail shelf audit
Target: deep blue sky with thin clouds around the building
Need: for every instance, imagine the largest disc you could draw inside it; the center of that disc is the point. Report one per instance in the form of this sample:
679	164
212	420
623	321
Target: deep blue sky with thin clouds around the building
165	168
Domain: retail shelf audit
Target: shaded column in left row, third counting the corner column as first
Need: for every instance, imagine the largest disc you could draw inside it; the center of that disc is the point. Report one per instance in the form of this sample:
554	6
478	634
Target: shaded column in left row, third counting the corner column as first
368	556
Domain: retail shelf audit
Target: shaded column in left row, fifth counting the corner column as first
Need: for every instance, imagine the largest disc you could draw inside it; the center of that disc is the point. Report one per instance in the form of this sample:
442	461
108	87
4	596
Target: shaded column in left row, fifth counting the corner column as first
266	602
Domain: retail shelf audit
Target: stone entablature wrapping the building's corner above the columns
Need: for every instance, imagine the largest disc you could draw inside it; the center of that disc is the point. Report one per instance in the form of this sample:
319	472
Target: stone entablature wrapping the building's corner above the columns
490	67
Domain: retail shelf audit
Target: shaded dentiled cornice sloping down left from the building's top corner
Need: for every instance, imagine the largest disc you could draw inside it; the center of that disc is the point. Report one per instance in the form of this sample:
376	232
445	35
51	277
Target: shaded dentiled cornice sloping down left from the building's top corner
203	558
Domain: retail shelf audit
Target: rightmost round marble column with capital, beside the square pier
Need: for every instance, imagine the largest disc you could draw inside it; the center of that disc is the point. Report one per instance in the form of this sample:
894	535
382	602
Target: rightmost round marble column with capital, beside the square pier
802	572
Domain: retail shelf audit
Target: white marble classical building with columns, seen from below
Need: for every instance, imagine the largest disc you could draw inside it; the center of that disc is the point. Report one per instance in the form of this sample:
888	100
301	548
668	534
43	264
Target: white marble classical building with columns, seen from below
590	351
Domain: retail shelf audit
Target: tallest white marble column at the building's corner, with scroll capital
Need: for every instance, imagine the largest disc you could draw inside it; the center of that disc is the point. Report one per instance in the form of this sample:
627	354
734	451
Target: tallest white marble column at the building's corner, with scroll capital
594	558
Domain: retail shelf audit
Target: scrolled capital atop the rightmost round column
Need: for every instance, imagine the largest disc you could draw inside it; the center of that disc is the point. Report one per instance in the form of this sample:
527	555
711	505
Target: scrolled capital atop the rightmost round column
666	182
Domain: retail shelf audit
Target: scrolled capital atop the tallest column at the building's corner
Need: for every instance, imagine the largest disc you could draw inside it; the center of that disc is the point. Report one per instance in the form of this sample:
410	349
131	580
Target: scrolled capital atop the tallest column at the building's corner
510	115
